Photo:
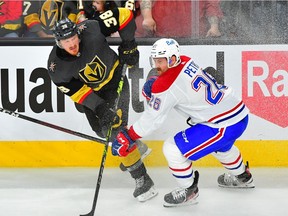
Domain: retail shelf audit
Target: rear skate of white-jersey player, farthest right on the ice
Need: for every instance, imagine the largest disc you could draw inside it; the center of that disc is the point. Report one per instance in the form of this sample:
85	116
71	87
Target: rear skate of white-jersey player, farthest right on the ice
243	180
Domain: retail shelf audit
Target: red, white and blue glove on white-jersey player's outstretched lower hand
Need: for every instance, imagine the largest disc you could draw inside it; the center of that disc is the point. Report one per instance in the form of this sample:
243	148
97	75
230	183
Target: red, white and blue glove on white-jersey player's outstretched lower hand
123	144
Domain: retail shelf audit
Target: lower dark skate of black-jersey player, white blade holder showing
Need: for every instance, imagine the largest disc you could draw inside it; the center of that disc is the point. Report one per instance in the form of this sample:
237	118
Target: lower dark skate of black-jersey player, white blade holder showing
144	188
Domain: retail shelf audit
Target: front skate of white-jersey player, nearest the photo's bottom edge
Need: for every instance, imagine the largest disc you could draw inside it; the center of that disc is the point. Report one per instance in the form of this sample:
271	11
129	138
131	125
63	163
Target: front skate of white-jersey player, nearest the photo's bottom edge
182	197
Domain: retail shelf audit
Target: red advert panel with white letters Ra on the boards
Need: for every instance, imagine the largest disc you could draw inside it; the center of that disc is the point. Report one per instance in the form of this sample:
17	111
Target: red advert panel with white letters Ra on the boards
265	85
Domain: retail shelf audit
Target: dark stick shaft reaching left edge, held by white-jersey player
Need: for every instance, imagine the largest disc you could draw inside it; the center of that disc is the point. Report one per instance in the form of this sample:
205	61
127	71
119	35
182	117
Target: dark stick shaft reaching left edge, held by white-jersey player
47	124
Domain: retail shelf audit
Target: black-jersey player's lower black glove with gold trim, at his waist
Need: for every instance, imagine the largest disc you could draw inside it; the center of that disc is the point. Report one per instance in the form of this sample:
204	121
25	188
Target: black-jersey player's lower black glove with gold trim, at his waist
107	116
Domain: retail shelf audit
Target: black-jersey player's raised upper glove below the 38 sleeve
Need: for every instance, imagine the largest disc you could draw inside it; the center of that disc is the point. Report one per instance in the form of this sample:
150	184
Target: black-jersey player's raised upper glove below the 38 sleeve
128	53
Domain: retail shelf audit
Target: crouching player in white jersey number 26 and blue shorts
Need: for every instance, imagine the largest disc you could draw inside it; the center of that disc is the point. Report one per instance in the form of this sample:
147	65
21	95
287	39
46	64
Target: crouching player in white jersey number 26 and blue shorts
218	118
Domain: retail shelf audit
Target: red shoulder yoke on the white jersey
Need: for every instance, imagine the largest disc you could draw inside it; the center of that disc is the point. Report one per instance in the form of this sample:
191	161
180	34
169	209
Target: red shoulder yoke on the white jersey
166	79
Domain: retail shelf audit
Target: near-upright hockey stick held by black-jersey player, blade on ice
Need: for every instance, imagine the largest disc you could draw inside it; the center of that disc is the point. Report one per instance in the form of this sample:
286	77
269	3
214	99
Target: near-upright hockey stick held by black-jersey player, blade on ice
101	169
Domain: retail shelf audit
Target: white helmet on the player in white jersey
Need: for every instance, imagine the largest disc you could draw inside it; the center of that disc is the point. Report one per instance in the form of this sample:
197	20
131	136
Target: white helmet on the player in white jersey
165	48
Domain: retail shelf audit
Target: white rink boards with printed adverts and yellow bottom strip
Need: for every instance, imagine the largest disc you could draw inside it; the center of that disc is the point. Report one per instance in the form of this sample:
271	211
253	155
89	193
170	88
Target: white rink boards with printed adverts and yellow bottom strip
258	73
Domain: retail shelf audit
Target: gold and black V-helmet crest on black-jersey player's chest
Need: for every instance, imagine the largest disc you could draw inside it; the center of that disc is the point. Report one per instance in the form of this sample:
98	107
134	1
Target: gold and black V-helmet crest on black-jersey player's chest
94	72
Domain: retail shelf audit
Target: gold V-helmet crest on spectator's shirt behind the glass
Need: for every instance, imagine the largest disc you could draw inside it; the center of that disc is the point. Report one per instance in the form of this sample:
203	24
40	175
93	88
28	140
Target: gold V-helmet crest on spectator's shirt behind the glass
51	12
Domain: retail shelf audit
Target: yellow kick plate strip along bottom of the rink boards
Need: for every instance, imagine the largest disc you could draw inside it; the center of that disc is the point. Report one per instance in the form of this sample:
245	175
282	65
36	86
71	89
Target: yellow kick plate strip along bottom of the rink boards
89	154
